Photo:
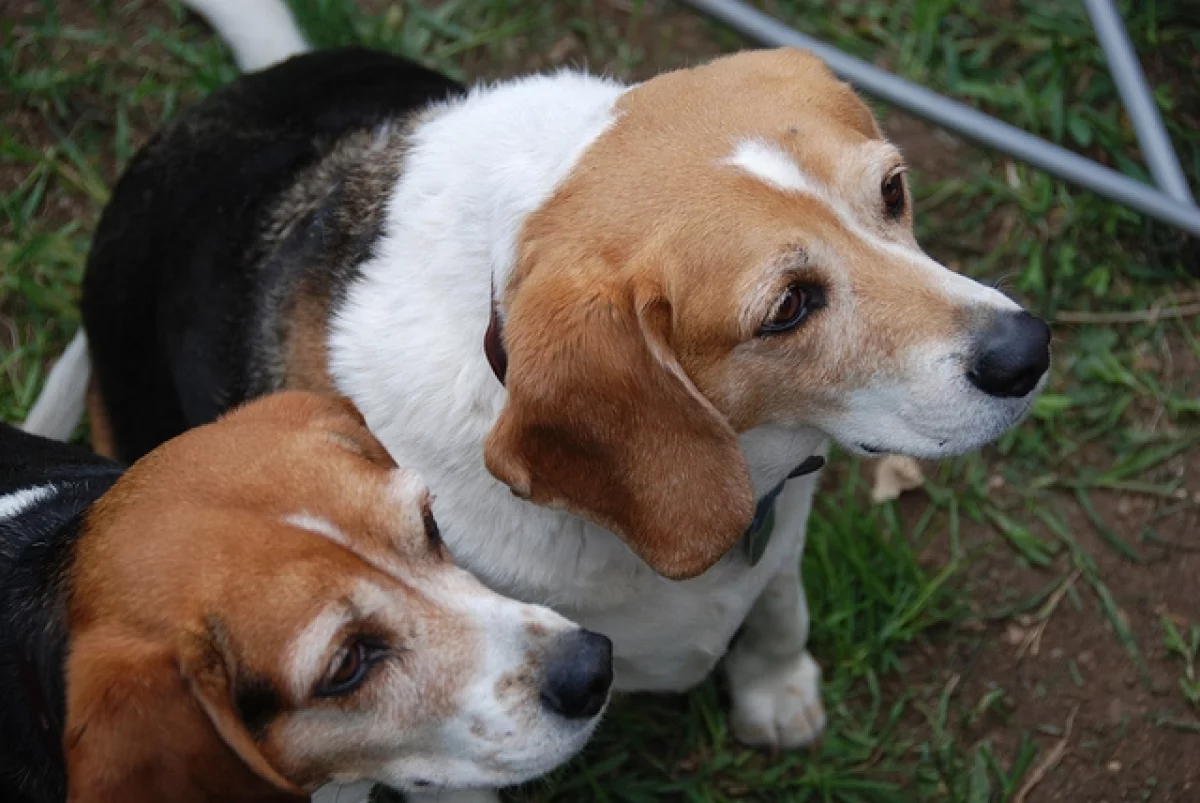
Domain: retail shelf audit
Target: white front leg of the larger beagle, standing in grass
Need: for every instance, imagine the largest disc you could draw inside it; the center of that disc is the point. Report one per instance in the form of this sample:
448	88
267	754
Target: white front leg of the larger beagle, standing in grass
775	684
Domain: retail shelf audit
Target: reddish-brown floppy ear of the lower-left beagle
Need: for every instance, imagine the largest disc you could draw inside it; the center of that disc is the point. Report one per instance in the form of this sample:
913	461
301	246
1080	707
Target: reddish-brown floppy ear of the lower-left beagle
139	732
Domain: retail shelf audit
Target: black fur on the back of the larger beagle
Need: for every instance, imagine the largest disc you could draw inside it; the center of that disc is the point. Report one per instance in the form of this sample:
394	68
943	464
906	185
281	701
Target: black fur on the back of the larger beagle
190	256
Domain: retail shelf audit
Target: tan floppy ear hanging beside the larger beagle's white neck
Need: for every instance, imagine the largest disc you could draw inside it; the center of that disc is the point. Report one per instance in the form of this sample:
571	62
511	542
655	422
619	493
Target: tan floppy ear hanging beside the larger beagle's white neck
602	421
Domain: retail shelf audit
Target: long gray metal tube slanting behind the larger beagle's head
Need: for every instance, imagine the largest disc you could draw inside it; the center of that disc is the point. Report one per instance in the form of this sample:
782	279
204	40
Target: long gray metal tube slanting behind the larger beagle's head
959	118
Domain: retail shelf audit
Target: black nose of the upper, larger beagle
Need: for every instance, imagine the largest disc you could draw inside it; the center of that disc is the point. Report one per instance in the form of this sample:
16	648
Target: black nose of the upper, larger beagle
1013	353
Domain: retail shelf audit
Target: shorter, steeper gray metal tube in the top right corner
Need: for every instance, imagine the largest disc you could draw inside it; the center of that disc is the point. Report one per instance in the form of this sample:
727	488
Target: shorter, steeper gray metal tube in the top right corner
1139	103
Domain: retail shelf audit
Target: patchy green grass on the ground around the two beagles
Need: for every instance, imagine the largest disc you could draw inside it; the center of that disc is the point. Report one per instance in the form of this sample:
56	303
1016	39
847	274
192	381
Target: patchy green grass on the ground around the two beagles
88	82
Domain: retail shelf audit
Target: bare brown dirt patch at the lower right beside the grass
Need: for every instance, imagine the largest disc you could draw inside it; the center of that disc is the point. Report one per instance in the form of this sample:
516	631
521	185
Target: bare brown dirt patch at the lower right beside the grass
1135	735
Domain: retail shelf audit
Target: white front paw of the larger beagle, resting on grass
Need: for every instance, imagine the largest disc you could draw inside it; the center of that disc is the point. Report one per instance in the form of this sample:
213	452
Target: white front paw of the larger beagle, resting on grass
781	706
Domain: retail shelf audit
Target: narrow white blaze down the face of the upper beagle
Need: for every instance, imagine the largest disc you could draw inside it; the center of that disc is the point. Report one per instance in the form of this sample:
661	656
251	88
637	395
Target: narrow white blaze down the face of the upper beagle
772	166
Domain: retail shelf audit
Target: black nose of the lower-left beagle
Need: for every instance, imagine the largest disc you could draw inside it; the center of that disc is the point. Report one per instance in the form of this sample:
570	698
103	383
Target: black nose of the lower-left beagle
579	675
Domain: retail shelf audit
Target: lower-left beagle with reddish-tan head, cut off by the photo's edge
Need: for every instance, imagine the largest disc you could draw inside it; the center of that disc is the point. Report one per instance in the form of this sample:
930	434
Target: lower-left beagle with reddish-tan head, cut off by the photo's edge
257	608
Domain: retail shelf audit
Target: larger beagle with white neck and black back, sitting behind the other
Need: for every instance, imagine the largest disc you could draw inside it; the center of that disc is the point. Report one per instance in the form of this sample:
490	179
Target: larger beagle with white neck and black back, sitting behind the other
616	327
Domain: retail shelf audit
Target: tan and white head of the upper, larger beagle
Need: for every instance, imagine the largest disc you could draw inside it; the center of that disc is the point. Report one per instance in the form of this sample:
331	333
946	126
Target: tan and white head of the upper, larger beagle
734	253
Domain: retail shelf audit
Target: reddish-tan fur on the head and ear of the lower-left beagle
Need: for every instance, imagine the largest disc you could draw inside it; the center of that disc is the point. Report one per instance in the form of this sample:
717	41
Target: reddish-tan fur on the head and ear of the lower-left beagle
187	584
